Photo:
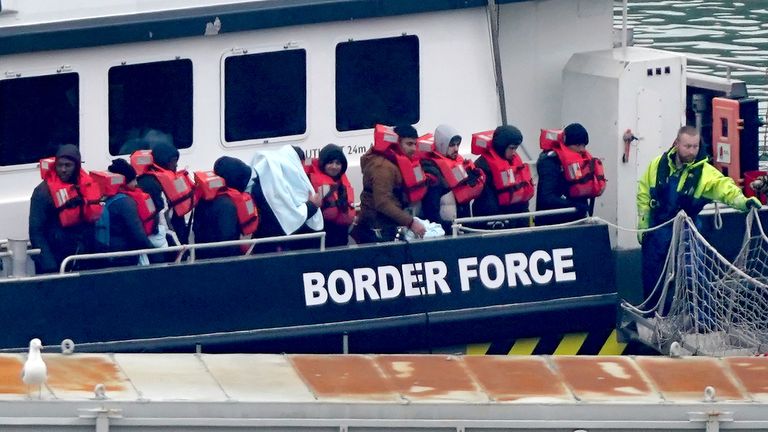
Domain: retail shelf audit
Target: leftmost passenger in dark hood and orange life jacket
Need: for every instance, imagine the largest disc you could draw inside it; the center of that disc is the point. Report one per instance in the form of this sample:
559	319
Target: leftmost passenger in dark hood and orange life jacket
63	209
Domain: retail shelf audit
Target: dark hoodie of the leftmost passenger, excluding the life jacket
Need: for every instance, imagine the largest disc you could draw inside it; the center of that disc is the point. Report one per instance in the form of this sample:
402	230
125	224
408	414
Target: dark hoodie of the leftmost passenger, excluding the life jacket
45	231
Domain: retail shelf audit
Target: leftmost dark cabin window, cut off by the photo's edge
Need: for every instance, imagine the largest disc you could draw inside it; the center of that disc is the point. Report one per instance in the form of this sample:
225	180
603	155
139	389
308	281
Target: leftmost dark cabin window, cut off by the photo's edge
37	114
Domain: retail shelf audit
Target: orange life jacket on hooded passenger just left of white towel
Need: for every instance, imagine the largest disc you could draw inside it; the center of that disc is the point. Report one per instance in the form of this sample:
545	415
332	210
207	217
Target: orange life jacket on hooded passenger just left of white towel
208	186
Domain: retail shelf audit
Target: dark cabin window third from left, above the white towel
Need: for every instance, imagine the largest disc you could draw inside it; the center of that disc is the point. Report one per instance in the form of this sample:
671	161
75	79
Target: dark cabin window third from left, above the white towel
265	95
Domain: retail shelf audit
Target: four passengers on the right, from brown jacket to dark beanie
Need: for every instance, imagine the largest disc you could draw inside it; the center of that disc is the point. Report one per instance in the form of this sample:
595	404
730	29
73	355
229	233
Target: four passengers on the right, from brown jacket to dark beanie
408	179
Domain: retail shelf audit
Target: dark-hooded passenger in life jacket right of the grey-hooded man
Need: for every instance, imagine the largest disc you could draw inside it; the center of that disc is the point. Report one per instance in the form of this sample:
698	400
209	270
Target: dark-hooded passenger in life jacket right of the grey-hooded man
509	186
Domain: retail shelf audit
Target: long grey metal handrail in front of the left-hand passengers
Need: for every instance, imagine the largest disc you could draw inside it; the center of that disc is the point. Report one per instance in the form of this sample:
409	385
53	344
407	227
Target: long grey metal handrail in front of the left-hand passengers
183	248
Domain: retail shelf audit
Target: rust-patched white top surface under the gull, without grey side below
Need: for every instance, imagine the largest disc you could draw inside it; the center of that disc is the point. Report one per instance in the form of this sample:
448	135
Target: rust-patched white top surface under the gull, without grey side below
390	379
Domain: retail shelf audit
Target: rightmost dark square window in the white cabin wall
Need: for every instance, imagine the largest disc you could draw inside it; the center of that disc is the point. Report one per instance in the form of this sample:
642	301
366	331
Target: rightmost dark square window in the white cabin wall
377	81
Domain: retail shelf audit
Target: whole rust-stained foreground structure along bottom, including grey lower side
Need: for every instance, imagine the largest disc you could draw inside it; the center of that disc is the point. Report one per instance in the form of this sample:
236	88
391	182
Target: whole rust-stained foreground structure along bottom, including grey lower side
392	392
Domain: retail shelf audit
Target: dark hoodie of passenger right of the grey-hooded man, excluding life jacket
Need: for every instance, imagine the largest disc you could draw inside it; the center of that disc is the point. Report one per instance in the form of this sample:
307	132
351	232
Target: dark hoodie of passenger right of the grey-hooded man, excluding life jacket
487	203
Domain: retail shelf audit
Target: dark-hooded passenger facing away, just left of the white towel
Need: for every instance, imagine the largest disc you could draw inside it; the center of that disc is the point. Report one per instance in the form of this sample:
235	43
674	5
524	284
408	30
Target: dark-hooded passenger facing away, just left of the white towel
225	211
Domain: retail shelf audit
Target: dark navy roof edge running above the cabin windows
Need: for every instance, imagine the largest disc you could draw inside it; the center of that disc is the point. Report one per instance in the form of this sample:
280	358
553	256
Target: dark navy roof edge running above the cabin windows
20	37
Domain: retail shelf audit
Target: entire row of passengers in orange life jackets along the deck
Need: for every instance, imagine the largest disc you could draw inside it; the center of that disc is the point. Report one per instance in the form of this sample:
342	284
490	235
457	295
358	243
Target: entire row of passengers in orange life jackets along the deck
147	202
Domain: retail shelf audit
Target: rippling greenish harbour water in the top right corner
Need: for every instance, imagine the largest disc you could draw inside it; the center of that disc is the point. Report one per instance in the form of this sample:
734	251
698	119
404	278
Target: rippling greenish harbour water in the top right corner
720	30
